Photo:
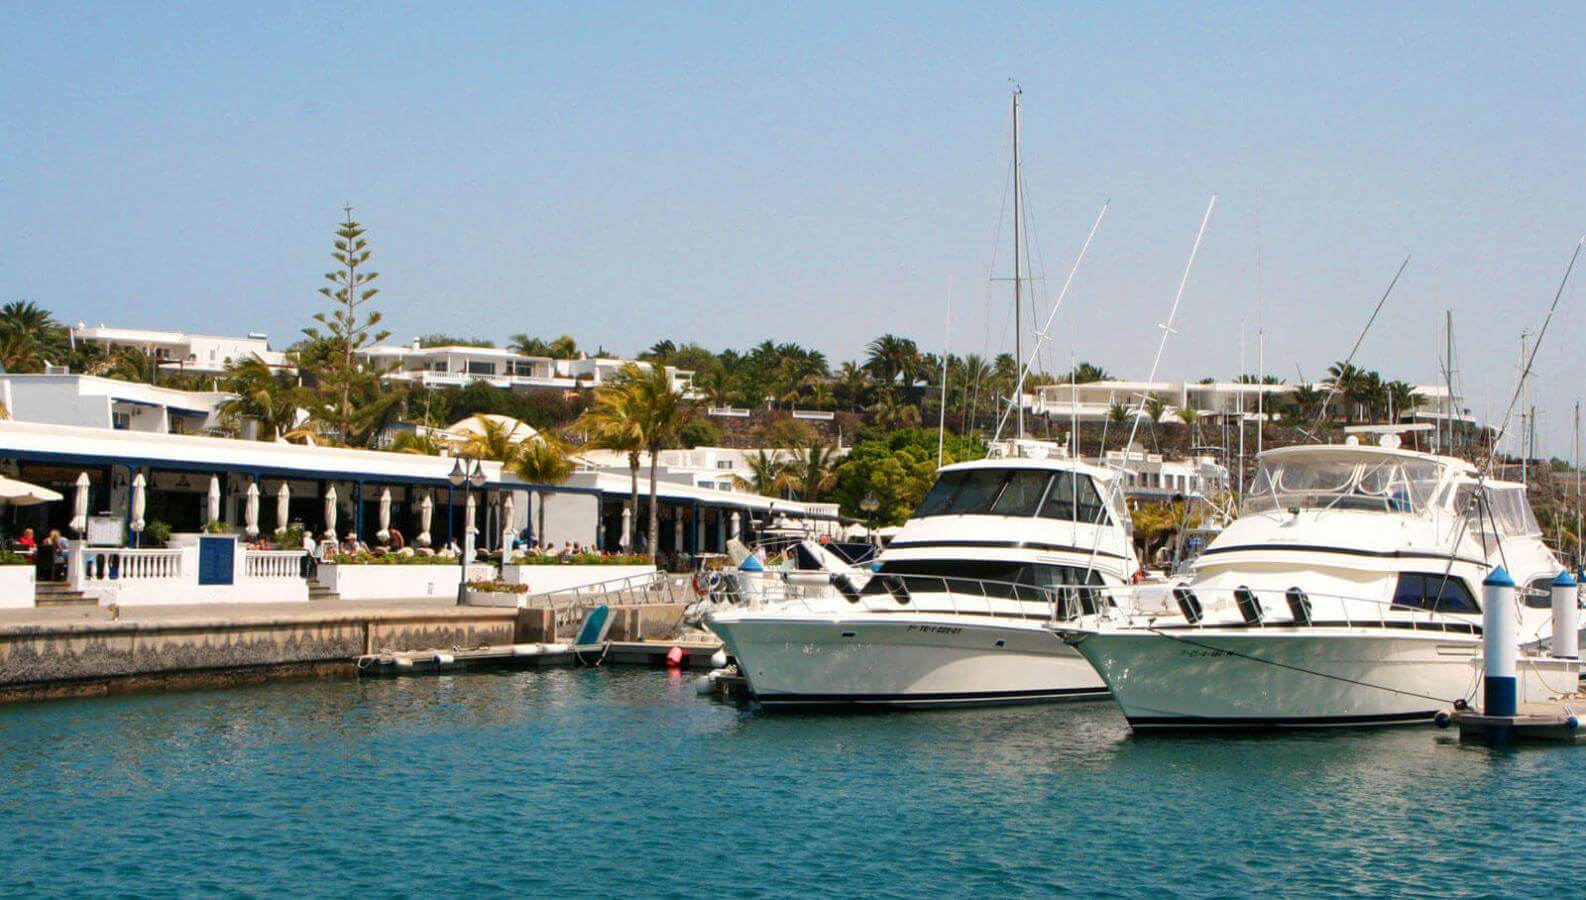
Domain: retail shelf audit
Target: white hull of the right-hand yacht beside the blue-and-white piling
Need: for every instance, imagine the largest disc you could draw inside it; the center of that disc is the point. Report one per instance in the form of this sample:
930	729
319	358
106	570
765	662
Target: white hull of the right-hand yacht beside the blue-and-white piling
1290	680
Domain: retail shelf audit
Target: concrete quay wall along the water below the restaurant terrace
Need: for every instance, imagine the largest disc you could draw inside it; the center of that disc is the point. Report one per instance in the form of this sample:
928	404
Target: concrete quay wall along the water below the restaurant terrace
48	653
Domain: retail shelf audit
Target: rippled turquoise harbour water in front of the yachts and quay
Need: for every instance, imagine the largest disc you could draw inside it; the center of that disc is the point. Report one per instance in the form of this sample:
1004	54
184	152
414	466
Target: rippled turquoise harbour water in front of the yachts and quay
624	782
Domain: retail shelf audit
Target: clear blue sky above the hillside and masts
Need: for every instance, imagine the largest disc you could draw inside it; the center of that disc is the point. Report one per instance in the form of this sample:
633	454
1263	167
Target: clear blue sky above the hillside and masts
818	174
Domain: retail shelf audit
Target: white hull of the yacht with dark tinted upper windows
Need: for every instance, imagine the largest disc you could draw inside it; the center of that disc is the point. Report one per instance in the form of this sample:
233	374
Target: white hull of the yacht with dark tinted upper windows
903	661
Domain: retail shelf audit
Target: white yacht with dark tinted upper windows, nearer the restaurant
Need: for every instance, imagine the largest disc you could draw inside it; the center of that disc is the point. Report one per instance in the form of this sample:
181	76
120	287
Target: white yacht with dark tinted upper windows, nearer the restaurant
963	599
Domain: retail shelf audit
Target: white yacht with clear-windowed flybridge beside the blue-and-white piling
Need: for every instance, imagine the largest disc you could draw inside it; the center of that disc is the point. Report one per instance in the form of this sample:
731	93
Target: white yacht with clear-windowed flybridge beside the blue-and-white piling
1346	594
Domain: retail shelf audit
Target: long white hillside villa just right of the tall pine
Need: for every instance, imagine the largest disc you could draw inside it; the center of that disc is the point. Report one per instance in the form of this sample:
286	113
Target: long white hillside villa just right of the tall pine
459	366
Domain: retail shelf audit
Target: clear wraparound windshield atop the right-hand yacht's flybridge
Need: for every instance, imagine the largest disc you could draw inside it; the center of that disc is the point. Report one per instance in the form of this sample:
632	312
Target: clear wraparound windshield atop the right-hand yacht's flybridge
1385	485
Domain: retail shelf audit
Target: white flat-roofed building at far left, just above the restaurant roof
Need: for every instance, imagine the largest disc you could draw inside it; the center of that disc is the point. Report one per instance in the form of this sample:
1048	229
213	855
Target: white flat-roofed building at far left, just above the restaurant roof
93	402
